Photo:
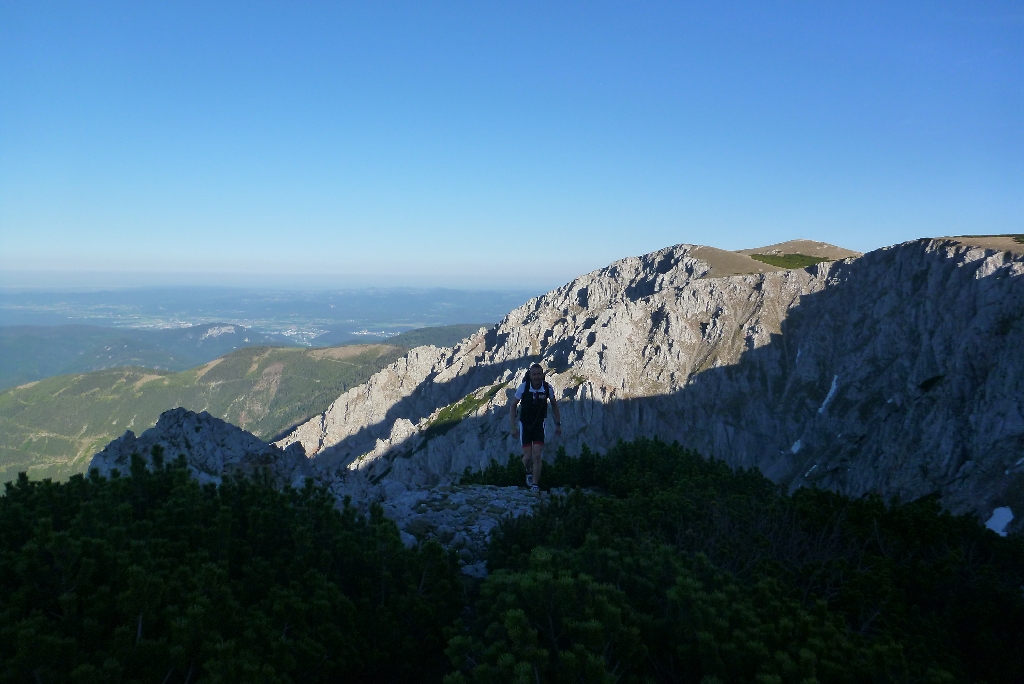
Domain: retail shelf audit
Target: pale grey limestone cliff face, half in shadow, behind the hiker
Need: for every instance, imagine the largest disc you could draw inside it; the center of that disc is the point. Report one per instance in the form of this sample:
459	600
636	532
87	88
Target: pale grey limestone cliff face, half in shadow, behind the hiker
901	372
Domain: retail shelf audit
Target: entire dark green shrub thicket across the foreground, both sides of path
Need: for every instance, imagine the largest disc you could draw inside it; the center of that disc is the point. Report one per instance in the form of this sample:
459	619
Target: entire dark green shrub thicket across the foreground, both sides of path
672	569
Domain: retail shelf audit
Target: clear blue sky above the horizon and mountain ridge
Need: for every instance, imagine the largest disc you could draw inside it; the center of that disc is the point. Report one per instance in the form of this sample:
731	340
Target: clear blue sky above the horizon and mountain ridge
452	143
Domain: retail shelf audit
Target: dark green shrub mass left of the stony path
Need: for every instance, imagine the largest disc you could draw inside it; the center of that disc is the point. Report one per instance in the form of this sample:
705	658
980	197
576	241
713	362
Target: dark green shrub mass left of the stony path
152	578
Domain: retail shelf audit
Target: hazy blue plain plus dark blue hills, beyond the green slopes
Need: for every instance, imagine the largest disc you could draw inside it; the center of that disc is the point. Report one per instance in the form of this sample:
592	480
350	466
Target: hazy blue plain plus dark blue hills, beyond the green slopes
45	334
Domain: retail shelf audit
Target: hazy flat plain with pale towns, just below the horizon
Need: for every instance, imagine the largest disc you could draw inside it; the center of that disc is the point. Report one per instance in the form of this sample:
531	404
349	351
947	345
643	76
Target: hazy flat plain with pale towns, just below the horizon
313	318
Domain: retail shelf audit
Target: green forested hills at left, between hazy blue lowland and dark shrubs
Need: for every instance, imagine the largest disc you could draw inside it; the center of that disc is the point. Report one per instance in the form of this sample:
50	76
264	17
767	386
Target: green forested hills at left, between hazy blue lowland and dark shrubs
51	429
